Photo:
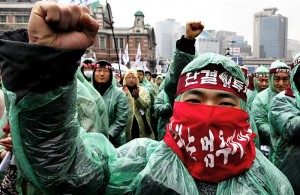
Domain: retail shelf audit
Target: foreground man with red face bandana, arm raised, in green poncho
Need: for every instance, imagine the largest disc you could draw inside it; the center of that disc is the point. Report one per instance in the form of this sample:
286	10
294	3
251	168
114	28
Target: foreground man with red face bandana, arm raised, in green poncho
207	149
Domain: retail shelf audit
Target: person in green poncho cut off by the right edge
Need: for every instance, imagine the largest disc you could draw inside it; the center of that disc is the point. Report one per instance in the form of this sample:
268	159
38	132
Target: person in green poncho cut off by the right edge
284	116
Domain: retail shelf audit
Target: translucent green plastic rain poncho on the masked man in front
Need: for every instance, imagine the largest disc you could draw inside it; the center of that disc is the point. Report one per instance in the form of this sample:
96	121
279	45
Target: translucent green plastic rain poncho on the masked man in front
57	156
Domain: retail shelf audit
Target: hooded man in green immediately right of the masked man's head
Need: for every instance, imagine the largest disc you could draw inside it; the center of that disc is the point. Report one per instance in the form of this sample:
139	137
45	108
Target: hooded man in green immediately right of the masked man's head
260	82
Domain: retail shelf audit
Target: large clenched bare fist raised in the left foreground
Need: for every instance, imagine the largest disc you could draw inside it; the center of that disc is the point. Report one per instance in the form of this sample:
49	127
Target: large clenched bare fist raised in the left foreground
69	27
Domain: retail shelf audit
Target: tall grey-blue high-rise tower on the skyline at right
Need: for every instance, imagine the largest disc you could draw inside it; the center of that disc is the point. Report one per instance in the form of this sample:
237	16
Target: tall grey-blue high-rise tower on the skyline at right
270	35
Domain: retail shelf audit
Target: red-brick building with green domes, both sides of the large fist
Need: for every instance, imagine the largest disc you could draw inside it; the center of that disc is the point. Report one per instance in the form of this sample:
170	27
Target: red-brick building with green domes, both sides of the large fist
15	14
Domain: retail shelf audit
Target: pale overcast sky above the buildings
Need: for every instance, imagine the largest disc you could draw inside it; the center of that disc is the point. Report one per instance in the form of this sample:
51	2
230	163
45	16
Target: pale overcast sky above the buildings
228	15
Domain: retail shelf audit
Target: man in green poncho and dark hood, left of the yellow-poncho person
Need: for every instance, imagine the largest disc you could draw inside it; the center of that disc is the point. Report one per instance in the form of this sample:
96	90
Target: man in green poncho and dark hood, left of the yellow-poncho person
115	100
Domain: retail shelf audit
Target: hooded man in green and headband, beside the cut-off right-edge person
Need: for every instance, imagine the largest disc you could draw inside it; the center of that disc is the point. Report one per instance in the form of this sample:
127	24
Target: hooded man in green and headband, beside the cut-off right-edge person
278	81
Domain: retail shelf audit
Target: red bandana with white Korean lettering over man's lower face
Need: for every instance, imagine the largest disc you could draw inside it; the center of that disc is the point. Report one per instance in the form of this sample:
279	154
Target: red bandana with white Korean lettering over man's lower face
214	143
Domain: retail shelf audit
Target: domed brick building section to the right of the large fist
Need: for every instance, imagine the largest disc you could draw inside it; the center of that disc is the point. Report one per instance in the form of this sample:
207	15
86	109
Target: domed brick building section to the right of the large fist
110	39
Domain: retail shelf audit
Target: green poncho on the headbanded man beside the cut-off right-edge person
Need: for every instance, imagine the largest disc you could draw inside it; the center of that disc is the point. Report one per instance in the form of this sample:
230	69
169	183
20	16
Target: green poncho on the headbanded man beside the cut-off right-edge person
261	105
